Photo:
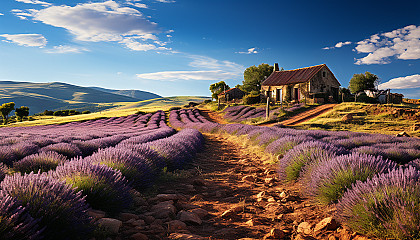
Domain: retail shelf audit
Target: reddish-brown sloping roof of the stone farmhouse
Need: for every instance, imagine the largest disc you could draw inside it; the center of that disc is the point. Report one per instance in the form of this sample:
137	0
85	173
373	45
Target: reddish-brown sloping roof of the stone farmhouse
299	75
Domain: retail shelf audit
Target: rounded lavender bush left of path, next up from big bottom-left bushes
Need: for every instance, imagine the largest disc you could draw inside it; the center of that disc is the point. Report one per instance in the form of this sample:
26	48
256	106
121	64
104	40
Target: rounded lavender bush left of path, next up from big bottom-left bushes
105	188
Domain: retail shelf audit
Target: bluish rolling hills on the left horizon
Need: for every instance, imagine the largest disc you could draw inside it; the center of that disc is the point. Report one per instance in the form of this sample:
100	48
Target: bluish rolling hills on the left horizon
55	96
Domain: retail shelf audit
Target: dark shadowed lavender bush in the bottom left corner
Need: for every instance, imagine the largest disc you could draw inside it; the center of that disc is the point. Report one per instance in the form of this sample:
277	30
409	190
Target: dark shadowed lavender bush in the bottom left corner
15	222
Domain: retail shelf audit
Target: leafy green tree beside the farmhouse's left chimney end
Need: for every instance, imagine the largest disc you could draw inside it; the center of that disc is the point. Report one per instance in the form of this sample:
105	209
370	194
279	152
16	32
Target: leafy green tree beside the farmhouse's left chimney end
254	76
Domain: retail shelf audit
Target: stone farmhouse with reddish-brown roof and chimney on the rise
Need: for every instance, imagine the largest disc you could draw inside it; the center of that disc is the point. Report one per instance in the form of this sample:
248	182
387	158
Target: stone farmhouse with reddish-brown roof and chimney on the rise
317	83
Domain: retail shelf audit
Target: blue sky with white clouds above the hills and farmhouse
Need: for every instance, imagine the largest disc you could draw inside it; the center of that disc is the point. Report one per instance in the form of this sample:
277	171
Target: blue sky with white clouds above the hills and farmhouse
180	47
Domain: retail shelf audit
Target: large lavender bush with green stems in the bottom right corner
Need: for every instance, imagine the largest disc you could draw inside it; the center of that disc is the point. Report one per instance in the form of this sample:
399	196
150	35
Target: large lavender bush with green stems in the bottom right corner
386	206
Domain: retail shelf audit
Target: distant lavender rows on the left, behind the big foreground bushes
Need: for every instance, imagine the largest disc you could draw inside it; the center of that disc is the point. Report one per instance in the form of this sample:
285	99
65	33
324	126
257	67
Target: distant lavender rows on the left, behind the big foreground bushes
77	138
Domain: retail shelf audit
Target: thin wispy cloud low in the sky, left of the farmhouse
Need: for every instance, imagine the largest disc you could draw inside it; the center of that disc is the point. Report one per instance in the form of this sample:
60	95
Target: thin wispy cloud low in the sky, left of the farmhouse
210	69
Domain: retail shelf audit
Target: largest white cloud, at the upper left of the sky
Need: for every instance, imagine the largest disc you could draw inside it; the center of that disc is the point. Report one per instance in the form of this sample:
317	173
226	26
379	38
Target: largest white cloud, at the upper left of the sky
106	21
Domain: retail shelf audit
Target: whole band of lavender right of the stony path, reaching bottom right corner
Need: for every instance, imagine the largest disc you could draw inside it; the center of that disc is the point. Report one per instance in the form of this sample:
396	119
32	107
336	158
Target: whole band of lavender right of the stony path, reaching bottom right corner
373	179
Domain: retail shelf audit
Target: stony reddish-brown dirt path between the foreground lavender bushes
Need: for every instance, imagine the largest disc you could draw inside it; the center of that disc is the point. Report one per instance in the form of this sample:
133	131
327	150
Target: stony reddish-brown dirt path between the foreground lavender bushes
241	194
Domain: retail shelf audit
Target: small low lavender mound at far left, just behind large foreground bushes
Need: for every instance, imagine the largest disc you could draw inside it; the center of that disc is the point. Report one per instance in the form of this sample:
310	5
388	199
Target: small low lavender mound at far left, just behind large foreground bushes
43	161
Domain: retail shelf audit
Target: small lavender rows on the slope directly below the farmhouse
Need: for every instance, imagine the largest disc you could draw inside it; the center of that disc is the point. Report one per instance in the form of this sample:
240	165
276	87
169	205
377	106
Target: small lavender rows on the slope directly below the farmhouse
242	113
